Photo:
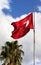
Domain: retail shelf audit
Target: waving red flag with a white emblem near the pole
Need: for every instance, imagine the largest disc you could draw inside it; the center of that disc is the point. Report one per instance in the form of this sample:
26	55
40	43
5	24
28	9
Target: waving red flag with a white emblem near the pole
21	28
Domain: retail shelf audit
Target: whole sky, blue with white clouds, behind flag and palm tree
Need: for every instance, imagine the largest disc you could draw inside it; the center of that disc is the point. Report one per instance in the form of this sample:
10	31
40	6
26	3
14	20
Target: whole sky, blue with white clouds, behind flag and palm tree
13	10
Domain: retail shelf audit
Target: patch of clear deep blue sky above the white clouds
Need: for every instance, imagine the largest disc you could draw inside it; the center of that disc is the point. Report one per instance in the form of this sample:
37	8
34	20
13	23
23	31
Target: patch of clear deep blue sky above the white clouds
20	7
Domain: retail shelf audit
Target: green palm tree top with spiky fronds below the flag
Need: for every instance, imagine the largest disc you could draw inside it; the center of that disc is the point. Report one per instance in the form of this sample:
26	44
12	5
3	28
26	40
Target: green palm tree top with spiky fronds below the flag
11	53
